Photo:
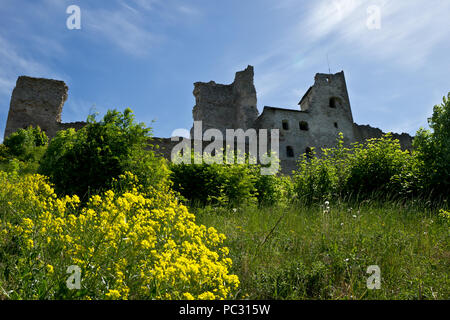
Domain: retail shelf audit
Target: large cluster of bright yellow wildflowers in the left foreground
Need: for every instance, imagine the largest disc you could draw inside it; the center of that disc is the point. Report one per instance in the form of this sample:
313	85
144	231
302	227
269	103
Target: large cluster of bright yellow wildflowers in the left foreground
128	245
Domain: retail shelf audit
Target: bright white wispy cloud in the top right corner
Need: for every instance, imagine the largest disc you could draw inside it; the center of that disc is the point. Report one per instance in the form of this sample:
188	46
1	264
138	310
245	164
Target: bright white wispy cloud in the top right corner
409	31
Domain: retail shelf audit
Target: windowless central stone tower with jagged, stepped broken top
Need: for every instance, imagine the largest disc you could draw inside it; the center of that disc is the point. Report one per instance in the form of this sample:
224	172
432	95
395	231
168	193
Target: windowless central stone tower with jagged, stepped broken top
224	107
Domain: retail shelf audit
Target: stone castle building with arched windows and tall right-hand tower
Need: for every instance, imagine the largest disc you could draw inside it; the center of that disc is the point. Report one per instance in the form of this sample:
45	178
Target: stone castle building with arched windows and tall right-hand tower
324	112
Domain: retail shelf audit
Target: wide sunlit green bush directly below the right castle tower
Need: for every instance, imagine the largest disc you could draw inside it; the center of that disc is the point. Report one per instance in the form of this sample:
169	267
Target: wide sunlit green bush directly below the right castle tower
377	166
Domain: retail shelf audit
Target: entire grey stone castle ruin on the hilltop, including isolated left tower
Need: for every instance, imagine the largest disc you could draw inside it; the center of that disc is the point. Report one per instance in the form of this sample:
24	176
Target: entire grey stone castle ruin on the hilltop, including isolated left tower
323	112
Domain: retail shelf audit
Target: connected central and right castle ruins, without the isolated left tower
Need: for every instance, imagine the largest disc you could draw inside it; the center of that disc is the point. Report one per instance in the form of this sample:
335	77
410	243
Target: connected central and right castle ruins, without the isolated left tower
324	112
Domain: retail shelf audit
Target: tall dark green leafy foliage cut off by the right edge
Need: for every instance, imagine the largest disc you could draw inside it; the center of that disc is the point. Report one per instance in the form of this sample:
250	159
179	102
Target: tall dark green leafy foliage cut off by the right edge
433	151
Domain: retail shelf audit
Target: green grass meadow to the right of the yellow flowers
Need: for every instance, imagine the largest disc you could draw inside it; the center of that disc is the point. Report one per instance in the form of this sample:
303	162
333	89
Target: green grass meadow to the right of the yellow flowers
299	252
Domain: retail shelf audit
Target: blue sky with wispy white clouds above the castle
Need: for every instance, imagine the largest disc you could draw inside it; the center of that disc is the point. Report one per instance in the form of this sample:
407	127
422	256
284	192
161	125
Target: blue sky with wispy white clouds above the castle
146	54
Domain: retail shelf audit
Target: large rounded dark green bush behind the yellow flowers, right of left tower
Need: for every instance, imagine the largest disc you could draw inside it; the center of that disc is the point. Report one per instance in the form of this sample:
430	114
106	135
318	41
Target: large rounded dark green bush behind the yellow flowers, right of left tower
85	161
